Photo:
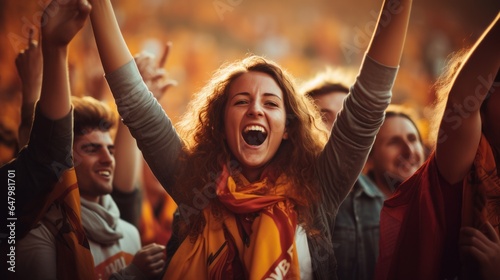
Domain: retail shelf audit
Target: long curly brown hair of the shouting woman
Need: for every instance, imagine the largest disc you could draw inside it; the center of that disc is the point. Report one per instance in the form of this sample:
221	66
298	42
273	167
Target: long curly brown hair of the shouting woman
202	130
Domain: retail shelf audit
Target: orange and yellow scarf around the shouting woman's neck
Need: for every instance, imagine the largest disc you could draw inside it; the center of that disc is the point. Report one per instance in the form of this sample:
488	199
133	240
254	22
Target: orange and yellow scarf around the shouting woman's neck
254	238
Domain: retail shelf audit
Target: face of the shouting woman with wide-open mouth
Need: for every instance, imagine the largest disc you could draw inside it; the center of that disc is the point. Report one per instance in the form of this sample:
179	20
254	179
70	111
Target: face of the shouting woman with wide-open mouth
254	121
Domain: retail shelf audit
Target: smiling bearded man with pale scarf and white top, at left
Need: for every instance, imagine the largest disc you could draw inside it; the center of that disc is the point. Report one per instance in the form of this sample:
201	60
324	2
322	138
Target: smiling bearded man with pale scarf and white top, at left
113	241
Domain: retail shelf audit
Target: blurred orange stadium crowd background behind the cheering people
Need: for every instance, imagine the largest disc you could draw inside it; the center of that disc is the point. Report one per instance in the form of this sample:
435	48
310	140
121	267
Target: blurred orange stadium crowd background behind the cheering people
303	36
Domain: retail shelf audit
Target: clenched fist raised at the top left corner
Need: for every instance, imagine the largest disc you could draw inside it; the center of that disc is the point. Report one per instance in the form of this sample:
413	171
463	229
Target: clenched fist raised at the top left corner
63	20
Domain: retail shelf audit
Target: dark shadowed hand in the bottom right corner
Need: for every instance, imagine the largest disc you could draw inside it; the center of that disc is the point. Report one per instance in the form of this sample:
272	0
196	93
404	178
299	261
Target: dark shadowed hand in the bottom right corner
484	247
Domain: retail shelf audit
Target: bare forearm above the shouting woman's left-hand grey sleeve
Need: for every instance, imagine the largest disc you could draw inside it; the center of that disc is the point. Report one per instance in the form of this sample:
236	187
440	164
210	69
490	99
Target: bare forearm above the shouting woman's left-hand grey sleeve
112	48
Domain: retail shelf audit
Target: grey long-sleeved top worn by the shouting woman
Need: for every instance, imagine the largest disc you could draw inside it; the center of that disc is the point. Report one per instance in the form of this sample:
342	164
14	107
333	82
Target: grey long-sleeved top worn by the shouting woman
338	166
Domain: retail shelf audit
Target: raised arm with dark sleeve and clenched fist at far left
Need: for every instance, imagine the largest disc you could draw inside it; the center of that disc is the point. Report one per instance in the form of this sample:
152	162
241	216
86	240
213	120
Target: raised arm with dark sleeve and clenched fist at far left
50	143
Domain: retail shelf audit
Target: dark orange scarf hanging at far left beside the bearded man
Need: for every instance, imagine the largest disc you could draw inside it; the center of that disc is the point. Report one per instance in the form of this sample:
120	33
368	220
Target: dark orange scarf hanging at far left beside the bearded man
74	259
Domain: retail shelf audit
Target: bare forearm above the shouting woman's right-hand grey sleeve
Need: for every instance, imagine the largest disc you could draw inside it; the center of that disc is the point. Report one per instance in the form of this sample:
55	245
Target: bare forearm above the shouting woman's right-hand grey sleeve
388	40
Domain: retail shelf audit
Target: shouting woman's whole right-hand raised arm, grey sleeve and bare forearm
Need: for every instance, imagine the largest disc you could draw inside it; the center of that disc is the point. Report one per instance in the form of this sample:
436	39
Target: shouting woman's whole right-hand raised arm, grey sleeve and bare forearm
364	108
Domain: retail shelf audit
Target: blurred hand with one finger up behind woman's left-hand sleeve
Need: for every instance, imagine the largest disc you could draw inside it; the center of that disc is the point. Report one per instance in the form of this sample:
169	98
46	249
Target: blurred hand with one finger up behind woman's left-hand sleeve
153	73
